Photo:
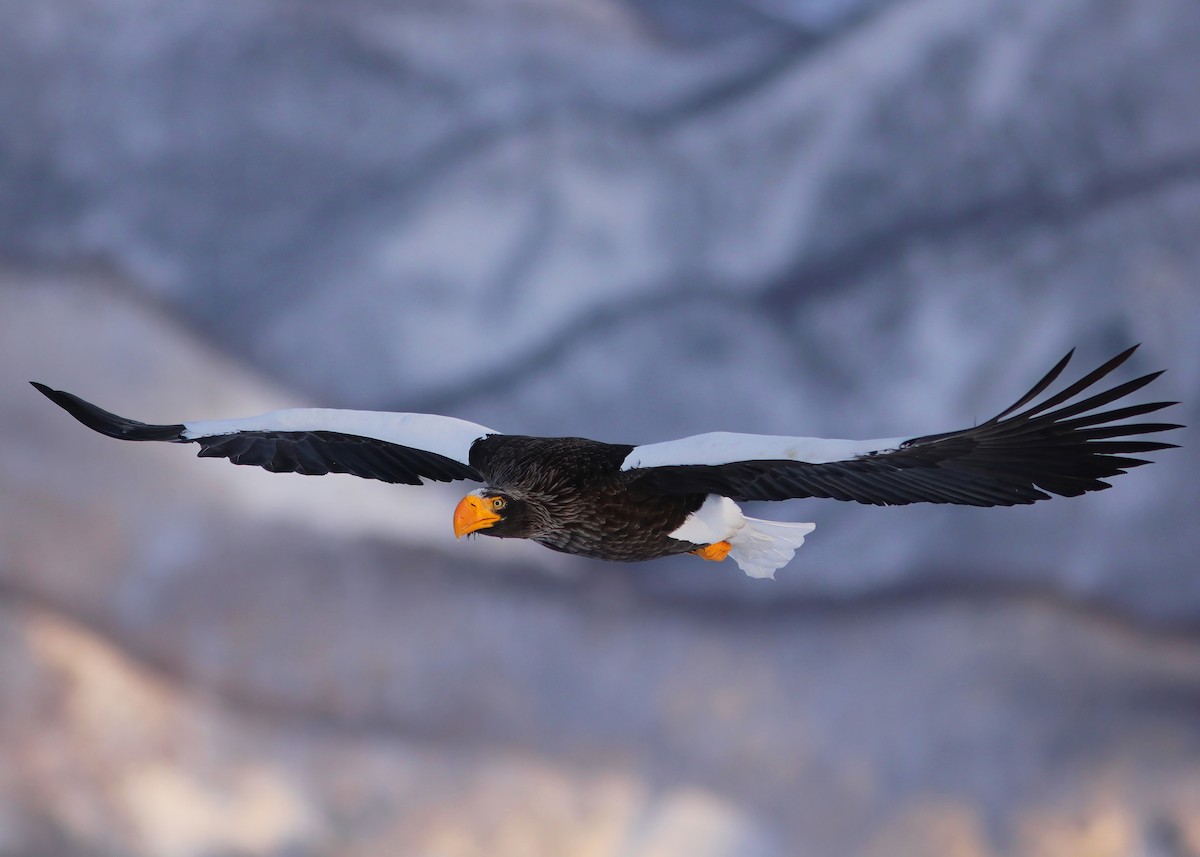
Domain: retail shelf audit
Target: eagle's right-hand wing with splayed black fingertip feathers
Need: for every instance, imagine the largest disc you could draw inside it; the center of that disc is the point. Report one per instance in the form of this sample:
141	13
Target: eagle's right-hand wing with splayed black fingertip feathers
1017	458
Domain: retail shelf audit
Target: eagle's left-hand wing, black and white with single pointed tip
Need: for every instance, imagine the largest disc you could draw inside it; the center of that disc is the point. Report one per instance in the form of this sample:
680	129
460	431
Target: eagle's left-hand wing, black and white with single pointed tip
389	447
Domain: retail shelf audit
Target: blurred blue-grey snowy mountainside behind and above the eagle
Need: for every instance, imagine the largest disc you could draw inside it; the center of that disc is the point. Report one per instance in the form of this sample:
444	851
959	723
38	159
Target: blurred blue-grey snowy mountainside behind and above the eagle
586	230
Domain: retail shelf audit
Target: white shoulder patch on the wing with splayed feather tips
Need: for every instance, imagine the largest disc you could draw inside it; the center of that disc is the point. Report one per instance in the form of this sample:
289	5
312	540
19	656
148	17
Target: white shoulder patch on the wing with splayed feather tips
724	448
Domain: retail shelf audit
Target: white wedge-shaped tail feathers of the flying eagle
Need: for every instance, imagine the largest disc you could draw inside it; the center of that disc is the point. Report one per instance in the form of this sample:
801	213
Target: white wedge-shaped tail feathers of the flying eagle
758	547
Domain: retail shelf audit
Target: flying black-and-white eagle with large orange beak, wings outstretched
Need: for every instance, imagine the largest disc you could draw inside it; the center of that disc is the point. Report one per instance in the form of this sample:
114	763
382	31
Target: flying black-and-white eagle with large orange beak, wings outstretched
627	504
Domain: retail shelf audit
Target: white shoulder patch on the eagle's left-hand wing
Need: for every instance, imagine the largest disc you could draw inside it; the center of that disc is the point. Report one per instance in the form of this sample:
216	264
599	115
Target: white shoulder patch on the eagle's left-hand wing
446	436
